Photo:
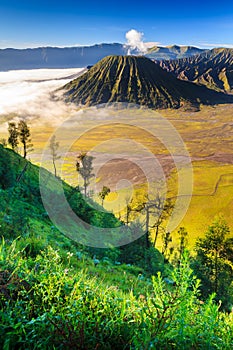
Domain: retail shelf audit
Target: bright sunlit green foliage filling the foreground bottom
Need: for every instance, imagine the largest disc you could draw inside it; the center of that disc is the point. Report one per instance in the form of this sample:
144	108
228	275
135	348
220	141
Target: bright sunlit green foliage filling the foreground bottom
47	303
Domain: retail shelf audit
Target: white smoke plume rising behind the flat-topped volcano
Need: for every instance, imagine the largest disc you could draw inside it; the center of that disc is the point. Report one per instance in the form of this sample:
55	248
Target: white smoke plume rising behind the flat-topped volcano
135	42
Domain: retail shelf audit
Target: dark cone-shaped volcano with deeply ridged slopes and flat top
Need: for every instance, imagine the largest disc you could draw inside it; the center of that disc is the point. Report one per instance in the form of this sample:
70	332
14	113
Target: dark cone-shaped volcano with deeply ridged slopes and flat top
137	79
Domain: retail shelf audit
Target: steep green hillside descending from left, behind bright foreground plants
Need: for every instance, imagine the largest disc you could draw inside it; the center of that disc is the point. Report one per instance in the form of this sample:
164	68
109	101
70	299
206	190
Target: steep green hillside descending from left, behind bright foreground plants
22	214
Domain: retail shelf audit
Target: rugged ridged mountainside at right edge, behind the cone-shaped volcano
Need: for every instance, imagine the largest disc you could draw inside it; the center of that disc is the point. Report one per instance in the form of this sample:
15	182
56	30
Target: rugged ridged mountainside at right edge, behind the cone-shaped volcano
213	69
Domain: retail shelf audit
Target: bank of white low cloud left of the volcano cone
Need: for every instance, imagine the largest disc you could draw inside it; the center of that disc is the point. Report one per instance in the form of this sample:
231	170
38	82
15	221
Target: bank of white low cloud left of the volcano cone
27	93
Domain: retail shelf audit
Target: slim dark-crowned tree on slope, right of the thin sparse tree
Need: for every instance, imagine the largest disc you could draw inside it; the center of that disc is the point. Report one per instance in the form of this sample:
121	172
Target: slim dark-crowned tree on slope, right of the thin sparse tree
84	167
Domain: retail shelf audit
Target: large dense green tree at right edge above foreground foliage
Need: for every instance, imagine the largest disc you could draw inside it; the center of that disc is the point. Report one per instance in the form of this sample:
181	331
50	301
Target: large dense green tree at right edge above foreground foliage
213	262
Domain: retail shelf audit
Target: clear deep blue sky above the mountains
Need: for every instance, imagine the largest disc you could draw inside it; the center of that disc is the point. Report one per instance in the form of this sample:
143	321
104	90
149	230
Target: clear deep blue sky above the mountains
64	23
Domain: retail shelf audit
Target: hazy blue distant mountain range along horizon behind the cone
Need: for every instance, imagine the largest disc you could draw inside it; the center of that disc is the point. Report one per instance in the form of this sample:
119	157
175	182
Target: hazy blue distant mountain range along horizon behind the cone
80	56
